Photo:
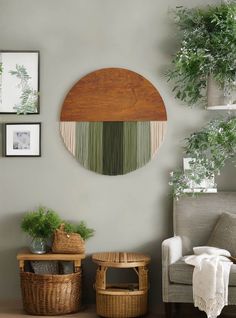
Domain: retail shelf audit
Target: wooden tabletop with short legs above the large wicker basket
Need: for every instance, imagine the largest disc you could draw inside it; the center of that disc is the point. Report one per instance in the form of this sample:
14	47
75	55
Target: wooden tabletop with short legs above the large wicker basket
26	255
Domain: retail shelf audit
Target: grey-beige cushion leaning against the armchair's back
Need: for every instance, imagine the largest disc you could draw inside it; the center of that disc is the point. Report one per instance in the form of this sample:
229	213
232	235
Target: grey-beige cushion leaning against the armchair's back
224	233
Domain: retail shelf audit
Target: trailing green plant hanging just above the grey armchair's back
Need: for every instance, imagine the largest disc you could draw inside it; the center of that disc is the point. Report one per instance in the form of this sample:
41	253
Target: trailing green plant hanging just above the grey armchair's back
210	148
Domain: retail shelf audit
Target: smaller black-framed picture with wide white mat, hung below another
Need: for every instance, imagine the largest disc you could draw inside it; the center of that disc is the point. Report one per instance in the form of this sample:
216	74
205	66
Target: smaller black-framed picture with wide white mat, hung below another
23	140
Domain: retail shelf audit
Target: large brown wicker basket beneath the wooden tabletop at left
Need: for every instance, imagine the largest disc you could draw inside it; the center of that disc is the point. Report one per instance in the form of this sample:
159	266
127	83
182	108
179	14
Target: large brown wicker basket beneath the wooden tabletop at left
51	294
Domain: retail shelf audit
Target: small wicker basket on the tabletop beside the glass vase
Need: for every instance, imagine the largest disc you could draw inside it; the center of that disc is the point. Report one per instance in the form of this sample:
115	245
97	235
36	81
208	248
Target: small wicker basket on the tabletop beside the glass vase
71	243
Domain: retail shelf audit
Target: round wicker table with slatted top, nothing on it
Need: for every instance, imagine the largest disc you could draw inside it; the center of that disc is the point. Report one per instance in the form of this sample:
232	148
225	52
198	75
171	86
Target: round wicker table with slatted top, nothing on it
121	300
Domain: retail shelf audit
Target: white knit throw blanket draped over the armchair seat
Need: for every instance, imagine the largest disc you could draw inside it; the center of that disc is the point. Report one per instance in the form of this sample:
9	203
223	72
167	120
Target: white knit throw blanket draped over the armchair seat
210	279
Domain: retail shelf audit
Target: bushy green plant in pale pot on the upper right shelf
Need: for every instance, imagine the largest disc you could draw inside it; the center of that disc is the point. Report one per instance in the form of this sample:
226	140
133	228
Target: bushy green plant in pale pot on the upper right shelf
205	65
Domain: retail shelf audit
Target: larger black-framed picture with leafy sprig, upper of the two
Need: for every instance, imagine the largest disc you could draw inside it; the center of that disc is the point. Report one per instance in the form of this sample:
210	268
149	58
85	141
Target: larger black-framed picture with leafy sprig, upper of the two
19	82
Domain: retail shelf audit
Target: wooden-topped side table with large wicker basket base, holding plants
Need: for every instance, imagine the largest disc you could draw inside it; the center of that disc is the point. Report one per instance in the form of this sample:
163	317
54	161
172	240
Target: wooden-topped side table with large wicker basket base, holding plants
50	294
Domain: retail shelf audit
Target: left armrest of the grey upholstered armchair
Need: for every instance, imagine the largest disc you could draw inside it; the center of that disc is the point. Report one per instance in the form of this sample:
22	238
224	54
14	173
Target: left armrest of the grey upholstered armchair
171	252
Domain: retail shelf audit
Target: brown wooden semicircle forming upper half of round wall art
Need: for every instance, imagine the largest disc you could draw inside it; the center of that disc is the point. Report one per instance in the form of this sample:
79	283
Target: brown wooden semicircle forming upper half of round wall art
113	94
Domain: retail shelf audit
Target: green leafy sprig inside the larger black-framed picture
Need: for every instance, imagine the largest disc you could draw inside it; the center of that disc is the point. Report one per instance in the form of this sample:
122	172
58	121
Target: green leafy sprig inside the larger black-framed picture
29	97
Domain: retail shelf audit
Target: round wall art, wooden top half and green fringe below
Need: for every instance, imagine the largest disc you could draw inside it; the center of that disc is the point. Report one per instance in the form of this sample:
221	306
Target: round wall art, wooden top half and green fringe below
113	121
